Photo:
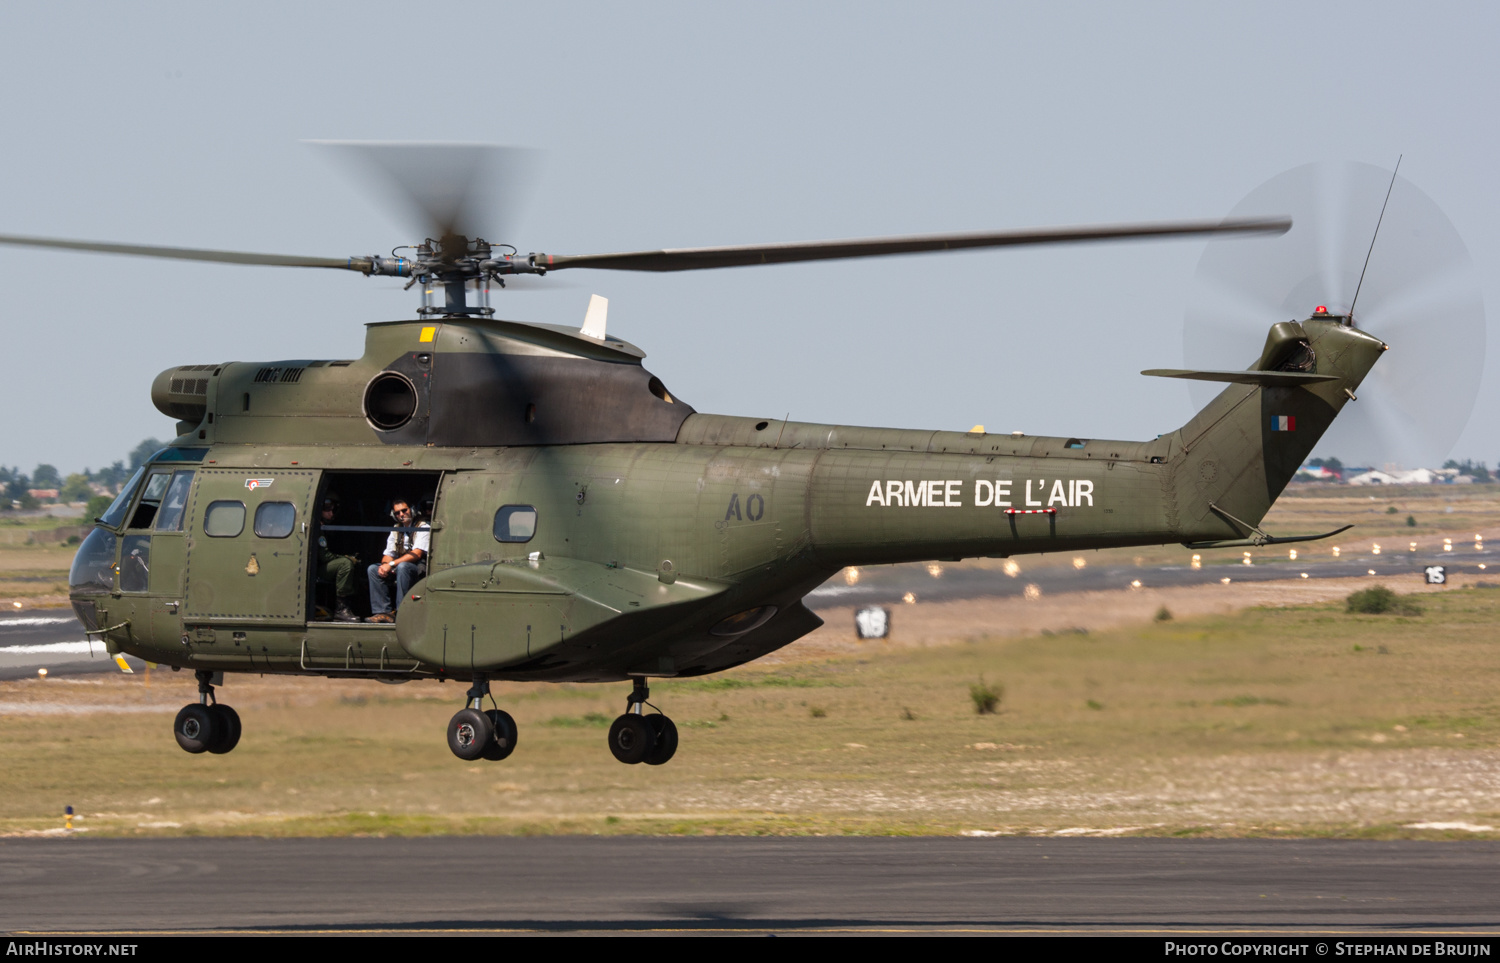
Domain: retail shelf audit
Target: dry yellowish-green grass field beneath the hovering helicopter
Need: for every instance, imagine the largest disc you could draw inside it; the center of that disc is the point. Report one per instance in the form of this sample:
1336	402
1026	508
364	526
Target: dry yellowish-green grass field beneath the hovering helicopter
1267	722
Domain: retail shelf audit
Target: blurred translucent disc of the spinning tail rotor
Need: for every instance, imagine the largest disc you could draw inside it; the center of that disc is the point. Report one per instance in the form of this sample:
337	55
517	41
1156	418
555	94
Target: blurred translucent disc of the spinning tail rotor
1421	295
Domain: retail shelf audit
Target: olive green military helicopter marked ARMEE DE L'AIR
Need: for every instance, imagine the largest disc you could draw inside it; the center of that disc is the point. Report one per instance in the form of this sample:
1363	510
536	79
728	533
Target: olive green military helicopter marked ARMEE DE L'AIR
584	524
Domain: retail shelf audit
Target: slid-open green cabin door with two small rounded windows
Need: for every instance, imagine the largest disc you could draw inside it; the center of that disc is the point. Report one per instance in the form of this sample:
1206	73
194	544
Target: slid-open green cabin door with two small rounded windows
248	542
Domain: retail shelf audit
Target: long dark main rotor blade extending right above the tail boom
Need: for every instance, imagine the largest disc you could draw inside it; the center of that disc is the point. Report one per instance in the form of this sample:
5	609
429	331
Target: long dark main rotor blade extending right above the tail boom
701	259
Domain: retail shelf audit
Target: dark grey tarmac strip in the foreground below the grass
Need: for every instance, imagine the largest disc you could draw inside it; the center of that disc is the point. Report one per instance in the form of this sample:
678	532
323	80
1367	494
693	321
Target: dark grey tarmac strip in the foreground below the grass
749	886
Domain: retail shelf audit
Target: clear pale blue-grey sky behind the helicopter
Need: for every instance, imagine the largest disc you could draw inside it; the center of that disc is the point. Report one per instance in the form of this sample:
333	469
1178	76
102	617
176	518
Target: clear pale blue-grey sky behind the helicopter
680	125
